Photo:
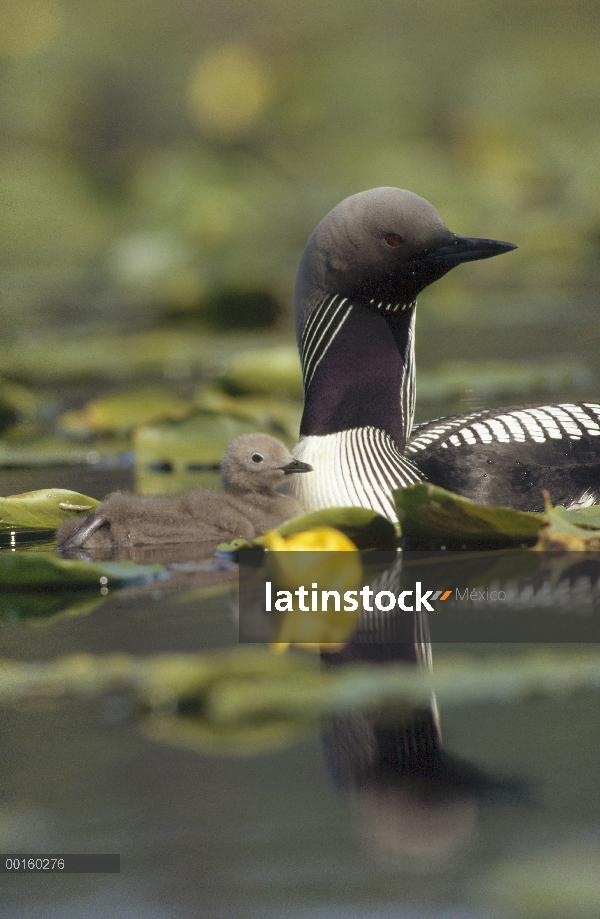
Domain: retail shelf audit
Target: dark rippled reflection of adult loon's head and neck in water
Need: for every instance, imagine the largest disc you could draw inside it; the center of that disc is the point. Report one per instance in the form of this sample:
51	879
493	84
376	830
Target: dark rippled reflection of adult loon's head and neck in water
413	800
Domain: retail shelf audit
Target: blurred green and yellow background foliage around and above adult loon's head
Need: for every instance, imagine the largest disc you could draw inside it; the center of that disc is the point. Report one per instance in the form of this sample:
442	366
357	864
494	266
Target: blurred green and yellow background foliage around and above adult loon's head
156	156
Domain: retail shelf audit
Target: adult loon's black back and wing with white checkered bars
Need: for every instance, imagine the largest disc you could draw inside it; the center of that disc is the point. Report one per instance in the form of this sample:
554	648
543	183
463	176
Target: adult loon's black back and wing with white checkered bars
508	456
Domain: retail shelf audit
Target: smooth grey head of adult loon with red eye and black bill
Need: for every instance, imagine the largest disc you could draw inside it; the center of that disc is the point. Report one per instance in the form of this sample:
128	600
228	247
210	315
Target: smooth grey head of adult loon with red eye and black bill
380	247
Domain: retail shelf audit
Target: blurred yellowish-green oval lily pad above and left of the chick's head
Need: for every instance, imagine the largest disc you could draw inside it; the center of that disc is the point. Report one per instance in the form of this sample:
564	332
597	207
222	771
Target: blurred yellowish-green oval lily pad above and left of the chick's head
121	411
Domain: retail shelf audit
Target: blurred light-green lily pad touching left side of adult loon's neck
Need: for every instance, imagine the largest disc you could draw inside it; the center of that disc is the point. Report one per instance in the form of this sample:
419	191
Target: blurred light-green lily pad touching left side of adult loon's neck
265	371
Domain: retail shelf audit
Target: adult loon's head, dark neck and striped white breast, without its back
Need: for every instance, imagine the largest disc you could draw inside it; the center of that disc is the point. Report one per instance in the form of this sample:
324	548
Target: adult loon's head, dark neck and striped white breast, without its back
355	300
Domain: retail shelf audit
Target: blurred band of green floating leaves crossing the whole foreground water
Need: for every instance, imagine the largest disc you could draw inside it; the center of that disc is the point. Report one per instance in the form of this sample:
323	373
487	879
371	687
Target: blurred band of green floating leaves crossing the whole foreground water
239	701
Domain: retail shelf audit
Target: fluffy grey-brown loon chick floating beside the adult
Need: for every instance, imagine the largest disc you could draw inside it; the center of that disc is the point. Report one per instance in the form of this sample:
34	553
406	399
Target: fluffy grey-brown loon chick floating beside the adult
252	468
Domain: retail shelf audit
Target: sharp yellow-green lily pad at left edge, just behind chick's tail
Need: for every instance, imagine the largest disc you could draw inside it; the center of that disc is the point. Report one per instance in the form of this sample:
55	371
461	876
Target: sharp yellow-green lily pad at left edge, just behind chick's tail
46	508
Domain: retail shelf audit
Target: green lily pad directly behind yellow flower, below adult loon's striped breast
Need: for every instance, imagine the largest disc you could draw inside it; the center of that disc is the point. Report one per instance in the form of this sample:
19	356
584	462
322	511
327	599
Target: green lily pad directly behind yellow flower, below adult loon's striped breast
366	528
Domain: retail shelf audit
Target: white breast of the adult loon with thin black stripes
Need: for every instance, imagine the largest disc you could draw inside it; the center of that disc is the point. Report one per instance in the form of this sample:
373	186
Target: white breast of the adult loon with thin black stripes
359	467
